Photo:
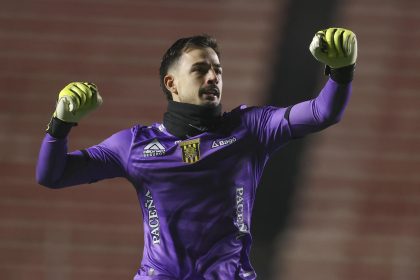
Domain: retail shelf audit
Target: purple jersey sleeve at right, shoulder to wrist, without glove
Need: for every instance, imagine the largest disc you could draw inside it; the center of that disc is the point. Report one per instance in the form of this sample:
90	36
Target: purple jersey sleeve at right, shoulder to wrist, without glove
273	127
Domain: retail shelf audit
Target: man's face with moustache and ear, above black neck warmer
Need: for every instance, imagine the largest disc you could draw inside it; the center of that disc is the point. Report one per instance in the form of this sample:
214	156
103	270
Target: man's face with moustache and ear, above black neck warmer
196	78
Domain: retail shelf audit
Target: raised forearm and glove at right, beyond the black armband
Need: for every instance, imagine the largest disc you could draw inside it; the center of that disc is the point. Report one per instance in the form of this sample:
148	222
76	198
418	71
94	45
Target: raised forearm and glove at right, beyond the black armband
337	49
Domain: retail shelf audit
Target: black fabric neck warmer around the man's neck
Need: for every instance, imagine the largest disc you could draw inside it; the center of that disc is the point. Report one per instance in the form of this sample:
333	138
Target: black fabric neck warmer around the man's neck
185	120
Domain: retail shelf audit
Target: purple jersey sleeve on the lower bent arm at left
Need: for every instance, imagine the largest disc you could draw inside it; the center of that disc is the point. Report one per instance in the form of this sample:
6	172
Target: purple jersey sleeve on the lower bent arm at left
56	168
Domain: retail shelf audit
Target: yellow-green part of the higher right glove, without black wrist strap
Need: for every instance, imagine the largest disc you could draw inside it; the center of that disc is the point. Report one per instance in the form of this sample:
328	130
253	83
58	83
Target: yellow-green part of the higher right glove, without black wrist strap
336	47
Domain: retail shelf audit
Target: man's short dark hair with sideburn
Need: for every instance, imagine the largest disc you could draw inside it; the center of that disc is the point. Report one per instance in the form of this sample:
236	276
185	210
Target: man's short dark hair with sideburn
178	48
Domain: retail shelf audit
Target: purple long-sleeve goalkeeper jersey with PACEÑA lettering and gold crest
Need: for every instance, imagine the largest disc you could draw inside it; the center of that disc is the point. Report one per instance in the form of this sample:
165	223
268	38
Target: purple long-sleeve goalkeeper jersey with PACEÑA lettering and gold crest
196	195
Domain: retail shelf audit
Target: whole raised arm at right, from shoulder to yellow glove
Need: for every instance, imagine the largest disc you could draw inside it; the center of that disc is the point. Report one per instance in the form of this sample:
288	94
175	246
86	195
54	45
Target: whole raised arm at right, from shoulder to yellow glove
273	127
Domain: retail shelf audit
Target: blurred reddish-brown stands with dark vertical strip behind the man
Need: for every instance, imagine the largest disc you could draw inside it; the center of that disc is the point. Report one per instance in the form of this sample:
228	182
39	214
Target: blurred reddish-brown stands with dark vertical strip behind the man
340	204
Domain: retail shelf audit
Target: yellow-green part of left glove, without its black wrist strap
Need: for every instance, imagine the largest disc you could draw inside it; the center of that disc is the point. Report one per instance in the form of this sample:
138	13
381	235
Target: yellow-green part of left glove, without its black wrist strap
76	100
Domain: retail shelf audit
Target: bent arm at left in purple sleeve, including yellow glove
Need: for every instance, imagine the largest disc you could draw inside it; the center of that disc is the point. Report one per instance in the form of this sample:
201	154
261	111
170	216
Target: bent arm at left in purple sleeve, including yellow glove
56	167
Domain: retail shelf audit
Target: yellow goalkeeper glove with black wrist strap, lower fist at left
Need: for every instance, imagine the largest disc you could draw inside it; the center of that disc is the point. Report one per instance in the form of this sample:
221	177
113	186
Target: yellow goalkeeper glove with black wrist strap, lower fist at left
75	101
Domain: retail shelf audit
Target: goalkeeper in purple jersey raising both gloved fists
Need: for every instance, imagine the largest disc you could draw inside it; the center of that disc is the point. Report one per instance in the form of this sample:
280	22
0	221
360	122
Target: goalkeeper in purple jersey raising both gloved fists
196	174
